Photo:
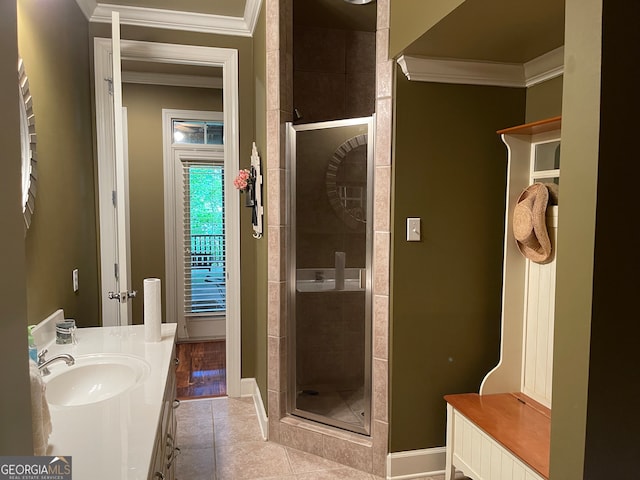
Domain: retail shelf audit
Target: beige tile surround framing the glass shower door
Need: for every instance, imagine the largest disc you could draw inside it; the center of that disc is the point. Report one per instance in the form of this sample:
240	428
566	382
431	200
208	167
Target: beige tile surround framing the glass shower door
365	453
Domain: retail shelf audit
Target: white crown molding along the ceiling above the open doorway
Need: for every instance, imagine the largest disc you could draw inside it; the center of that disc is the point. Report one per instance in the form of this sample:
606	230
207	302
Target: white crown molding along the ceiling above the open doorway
178	20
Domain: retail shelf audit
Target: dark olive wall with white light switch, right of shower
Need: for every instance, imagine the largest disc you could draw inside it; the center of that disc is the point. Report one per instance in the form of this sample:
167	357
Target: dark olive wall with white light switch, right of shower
449	170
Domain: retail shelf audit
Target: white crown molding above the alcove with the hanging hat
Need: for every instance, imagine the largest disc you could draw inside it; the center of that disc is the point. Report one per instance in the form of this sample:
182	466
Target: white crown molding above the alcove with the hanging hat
468	72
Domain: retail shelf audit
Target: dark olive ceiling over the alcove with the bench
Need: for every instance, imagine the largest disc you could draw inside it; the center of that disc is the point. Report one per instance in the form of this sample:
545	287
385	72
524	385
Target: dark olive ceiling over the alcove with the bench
502	31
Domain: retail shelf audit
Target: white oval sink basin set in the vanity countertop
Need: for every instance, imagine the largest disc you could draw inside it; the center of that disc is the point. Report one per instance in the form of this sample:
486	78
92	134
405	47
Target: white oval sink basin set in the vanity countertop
93	378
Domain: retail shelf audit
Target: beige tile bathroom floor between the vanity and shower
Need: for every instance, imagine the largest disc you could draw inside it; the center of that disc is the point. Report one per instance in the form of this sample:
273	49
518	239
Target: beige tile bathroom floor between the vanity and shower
220	439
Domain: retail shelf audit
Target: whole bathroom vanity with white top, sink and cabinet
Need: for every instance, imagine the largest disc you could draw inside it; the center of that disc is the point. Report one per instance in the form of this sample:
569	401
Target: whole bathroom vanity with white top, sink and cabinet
124	425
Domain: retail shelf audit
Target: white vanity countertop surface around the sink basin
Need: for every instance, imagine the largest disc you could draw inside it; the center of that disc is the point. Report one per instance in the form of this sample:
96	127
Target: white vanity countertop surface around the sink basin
113	439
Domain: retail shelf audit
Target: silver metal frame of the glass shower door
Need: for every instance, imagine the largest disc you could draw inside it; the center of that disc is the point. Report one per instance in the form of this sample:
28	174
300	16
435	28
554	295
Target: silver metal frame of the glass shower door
291	131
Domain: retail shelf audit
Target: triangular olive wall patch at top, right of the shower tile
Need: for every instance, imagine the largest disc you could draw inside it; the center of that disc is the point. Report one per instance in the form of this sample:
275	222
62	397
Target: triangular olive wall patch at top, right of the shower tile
411	18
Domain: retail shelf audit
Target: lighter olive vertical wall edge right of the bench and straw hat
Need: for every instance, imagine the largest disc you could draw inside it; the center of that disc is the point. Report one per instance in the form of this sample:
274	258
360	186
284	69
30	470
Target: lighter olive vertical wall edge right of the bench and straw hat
575	265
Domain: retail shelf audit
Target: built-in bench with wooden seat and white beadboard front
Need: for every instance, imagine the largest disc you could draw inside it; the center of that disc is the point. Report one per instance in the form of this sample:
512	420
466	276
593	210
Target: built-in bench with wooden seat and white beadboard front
502	436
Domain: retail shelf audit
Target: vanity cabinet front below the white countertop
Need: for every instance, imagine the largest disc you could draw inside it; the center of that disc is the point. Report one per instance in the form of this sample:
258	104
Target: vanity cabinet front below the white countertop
165	448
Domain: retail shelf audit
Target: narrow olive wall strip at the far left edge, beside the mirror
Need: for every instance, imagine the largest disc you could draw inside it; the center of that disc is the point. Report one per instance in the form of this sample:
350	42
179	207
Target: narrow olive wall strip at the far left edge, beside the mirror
15	411
